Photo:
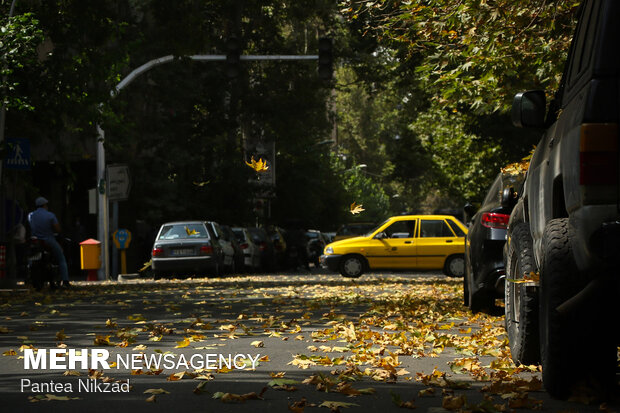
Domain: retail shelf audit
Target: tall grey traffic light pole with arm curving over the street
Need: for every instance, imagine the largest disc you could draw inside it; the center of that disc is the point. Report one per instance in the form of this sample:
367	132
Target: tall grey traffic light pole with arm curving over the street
103	229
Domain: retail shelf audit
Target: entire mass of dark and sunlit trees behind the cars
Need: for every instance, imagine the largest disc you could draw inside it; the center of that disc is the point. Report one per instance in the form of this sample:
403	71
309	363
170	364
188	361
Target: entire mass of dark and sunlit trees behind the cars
420	97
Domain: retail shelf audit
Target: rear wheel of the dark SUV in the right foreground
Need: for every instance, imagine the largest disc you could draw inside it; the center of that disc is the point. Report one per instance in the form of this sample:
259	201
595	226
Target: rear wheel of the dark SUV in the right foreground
563	336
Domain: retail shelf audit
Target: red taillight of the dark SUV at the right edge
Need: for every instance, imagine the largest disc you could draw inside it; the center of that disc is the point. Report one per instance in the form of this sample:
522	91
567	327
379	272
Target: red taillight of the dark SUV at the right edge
598	154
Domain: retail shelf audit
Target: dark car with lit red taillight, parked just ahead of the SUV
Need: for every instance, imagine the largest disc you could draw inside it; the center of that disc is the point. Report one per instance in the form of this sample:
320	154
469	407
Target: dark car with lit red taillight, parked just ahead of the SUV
484	245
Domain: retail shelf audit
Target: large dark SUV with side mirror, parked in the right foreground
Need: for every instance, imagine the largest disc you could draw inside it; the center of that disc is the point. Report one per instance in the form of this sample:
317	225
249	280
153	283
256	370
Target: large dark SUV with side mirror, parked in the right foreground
563	250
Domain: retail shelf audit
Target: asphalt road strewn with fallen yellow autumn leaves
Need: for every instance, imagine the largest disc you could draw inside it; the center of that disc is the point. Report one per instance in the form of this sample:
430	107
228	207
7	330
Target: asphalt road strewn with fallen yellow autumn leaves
381	342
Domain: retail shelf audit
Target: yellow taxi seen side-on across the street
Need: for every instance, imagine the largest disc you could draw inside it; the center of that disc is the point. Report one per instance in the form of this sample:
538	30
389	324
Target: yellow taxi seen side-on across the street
412	242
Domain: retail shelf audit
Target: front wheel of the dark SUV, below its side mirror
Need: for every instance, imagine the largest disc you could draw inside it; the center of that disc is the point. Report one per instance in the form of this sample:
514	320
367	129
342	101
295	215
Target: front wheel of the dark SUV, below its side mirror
521	301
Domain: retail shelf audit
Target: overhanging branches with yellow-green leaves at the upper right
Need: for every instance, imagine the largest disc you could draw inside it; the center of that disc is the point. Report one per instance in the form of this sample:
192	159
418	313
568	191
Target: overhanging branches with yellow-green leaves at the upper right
476	54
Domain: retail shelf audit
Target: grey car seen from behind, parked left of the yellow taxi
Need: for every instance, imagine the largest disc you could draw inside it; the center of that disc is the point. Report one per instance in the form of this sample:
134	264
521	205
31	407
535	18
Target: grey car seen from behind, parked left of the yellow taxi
186	248
